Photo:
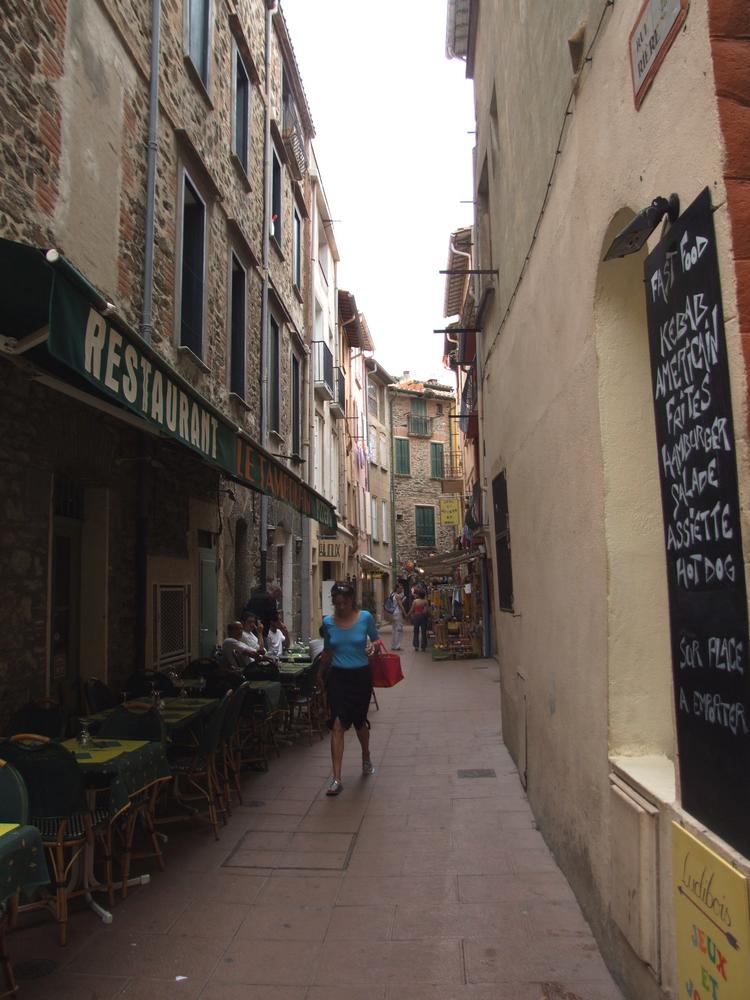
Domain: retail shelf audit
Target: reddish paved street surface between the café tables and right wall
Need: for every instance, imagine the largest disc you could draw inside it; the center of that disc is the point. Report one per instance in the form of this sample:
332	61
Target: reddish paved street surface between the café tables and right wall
417	883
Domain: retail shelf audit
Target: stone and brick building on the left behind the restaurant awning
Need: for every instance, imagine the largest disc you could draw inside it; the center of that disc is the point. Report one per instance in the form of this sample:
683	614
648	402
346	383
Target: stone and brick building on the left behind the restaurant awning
122	548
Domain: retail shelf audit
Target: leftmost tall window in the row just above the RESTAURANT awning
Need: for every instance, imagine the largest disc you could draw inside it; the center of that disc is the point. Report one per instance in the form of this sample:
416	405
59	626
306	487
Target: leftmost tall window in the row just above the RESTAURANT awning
192	265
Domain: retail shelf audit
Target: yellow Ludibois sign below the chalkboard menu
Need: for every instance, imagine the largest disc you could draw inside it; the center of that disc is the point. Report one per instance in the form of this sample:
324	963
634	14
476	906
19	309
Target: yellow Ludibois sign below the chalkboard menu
712	923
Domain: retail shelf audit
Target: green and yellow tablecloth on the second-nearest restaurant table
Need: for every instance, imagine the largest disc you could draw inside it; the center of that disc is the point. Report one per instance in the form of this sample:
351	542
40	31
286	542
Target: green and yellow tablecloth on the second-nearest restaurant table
123	766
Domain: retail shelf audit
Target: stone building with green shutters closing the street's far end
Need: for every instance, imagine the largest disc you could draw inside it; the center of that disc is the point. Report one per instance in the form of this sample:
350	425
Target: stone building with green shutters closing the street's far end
425	467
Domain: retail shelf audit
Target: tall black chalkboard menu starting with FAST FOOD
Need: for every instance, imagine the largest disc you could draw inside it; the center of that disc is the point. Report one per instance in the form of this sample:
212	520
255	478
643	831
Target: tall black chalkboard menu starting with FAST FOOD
705	568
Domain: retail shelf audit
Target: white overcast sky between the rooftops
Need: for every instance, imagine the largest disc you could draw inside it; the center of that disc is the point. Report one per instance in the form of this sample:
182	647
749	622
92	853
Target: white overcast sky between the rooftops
392	118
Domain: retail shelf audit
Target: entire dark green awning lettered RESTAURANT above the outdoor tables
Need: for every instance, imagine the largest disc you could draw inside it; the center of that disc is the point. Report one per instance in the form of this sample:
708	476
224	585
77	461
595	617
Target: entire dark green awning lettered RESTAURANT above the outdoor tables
53	317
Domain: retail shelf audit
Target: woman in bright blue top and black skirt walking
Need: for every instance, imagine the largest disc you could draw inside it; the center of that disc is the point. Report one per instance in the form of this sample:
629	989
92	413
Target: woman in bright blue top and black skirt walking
345	634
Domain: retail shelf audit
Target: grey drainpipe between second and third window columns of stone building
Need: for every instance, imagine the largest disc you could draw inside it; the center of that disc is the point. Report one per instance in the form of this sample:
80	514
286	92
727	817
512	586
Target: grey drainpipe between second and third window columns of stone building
264	314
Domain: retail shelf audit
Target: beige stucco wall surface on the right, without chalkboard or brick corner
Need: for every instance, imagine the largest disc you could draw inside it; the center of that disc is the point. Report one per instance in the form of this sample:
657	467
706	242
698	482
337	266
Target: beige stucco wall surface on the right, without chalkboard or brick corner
543	418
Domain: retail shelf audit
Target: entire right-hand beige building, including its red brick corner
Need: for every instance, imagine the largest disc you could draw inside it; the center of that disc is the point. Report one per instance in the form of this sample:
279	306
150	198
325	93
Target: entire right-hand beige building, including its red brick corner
573	146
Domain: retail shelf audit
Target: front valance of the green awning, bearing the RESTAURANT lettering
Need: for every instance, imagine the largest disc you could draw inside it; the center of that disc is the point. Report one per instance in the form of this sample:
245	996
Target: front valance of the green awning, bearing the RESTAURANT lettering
118	366
